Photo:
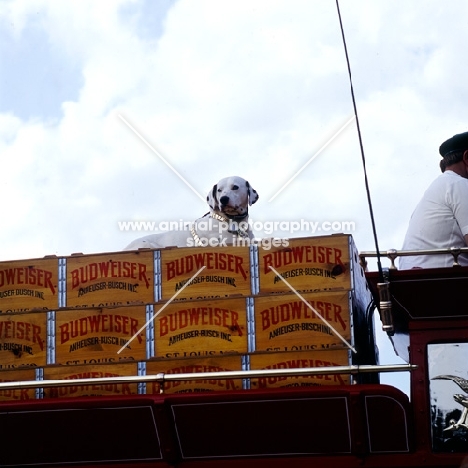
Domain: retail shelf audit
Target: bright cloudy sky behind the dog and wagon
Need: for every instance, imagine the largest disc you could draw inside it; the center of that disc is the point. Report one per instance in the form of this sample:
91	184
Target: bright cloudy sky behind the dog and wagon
255	88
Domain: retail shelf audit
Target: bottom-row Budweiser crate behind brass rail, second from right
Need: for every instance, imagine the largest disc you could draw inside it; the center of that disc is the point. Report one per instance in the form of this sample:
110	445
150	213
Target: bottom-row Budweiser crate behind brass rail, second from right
189	366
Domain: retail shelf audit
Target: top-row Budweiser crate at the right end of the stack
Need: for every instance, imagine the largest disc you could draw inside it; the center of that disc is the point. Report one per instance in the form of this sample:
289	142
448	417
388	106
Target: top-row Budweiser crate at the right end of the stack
309	264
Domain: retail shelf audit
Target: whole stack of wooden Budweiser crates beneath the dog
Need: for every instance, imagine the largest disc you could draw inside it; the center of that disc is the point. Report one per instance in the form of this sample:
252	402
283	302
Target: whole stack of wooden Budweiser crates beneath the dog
184	310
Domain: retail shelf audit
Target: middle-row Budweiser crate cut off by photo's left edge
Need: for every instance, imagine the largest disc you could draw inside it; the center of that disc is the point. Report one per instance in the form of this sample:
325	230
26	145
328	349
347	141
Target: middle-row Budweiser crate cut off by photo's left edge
23	340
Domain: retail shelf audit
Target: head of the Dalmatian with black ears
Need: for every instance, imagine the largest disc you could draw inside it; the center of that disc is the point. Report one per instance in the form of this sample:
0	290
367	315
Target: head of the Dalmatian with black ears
232	196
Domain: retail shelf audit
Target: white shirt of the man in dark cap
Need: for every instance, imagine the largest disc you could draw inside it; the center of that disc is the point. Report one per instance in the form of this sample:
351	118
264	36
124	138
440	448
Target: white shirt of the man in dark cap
440	220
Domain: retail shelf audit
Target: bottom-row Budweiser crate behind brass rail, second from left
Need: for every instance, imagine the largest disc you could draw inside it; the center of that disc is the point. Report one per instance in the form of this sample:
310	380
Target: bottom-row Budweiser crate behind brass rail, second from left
90	372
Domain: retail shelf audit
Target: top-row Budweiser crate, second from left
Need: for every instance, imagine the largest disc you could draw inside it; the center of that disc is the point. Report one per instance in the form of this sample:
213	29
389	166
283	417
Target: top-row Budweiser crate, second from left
110	279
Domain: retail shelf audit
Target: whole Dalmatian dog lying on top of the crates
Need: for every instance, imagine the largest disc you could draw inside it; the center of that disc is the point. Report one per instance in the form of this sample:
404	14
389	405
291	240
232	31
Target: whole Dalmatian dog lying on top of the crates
224	224
